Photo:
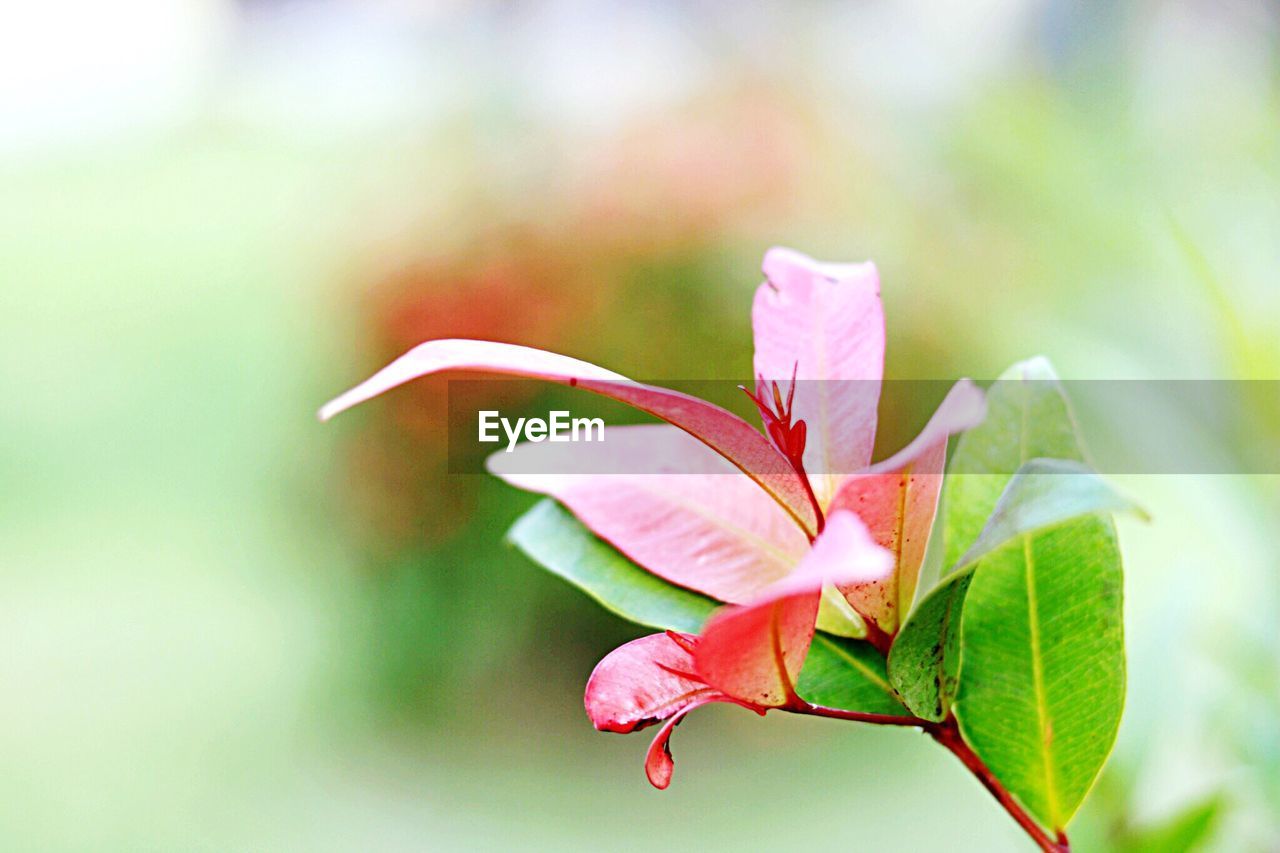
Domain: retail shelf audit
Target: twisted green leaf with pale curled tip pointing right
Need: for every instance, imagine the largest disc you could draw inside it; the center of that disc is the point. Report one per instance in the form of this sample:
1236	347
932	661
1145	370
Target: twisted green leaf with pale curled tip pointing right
1043	494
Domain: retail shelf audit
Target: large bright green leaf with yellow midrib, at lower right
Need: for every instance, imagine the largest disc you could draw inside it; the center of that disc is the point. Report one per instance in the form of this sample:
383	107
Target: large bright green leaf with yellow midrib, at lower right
1043	656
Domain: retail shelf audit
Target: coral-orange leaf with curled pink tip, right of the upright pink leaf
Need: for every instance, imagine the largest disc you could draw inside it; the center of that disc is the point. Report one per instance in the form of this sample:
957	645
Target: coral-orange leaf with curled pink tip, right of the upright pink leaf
898	500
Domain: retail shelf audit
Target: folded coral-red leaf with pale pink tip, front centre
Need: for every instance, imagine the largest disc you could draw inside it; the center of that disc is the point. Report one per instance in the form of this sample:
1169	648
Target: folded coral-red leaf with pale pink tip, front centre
756	653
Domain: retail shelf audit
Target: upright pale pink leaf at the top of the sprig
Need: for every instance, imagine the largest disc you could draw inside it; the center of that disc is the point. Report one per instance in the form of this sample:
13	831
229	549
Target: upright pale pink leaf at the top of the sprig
825	323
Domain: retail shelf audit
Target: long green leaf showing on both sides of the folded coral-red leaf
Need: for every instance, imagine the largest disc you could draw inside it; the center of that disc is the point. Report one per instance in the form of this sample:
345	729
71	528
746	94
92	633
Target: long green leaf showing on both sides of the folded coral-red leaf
840	673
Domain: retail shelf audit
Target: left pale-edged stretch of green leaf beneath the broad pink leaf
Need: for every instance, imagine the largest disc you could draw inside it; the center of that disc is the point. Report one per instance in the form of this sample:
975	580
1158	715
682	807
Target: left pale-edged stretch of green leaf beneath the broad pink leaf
554	539
